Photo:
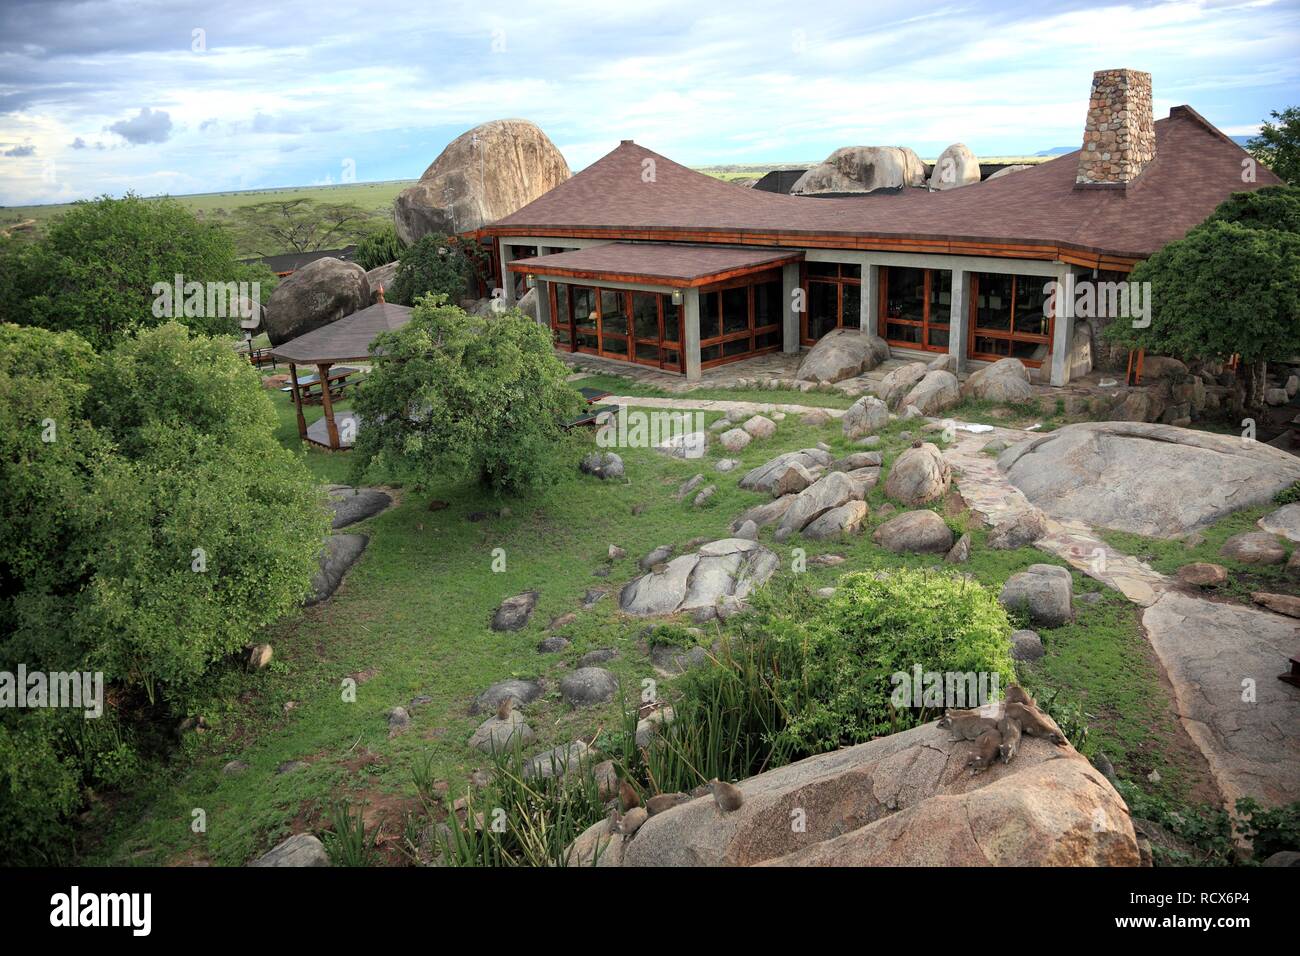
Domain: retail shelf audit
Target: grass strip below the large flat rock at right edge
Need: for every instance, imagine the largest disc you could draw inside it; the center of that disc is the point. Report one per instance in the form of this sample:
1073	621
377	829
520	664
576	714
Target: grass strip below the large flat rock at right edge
1167	556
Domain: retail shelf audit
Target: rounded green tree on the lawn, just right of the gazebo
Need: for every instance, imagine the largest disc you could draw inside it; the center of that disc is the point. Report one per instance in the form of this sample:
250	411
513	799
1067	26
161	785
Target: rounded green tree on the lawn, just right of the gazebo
454	395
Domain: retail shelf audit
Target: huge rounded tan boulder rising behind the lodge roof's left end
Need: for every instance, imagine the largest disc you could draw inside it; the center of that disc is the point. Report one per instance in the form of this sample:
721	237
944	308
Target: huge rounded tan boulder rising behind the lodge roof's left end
484	175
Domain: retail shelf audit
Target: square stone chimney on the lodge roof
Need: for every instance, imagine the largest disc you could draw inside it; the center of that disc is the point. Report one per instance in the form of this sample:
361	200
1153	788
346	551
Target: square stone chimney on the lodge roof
1120	137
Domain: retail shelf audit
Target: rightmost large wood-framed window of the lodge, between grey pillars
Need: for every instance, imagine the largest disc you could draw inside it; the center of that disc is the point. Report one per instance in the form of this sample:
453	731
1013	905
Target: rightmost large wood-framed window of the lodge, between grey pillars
1011	318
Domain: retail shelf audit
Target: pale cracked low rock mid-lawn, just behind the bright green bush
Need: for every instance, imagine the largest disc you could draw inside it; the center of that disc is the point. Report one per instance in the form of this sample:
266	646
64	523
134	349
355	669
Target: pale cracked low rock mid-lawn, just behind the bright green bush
727	569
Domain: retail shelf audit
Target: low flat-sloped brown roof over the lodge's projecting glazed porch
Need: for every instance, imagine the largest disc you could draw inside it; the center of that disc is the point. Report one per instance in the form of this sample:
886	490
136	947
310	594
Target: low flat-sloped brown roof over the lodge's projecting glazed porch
666	265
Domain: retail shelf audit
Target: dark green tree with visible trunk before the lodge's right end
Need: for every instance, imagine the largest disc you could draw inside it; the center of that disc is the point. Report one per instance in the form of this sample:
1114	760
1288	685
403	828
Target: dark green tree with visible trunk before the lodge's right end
1232	287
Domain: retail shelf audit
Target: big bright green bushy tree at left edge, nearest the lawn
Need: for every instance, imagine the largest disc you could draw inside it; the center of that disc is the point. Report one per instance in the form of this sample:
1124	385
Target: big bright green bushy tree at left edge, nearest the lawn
170	526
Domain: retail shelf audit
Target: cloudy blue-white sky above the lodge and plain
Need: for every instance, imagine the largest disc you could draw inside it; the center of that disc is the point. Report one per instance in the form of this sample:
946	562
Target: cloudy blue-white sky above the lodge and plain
174	97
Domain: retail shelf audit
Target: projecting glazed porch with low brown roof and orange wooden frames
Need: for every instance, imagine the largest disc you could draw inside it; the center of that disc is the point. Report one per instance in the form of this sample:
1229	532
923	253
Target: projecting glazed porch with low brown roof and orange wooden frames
674	308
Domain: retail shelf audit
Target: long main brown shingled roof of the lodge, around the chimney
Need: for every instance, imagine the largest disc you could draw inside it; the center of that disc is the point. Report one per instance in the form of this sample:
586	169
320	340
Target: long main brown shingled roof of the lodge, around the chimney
1197	167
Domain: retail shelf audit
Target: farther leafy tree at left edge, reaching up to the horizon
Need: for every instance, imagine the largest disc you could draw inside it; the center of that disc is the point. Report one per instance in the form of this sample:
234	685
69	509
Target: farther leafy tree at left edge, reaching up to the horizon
96	269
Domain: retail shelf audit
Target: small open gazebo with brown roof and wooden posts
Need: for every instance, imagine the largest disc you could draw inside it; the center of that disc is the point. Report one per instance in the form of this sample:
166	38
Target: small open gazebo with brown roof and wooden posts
352	339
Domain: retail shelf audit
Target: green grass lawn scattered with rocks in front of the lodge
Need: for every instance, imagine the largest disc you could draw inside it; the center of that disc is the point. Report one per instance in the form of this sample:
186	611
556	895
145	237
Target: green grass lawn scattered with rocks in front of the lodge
413	618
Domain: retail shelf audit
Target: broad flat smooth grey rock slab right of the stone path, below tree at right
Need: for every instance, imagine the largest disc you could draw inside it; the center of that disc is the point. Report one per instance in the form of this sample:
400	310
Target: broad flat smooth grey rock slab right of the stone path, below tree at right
1149	479
